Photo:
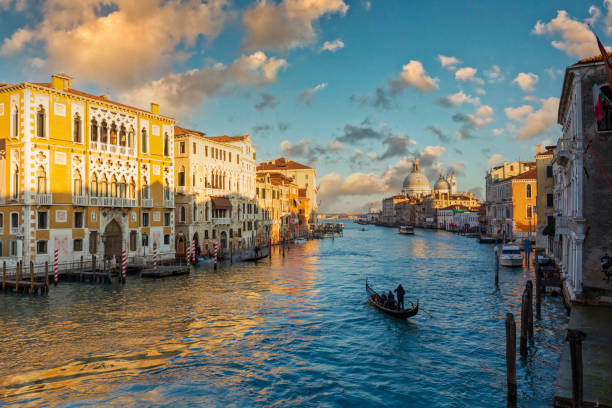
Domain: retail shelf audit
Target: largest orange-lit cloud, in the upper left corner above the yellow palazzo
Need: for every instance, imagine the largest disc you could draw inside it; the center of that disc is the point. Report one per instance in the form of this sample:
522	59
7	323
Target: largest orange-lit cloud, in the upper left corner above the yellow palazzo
125	47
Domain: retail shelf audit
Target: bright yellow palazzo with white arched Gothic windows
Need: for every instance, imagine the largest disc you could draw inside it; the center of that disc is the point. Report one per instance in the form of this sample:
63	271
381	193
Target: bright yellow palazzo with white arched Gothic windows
82	174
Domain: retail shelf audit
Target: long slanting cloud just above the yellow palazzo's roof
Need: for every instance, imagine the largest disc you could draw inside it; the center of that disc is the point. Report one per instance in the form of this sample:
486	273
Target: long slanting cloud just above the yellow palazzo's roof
181	93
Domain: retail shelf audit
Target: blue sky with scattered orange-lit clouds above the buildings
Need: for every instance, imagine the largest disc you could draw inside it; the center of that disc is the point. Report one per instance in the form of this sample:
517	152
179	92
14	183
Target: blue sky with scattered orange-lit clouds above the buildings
356	89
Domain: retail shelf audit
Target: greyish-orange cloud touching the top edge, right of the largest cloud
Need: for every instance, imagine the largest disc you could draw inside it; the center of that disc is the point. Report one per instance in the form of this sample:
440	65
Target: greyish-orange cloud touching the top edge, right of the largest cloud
288	24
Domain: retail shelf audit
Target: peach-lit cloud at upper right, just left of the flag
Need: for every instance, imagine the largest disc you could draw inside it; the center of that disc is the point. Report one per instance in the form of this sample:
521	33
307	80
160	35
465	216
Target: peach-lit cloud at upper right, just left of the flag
577	38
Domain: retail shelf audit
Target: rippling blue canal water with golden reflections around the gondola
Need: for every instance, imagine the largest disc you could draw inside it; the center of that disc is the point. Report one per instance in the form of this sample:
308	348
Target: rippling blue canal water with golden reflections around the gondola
287	332
